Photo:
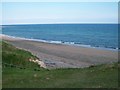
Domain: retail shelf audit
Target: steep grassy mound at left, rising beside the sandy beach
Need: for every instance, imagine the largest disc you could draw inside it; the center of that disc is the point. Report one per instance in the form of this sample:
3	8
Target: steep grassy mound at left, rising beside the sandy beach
17	57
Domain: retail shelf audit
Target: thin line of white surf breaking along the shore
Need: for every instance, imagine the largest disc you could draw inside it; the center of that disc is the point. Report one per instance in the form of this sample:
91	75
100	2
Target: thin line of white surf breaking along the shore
64	43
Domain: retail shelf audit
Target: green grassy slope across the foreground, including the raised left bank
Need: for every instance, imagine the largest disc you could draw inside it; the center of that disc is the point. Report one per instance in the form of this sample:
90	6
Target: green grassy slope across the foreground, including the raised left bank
95	77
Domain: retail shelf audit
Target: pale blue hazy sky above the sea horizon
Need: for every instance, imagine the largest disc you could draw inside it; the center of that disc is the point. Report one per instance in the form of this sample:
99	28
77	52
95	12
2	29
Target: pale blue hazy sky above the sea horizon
59	12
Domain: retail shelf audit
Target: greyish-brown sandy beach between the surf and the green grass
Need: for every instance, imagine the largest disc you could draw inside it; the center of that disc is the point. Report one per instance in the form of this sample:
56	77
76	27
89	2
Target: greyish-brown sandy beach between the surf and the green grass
64	56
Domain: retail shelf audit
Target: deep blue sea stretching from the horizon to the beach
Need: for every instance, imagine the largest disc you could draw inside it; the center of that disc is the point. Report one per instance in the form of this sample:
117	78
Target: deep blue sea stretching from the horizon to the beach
90	35
